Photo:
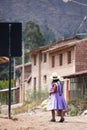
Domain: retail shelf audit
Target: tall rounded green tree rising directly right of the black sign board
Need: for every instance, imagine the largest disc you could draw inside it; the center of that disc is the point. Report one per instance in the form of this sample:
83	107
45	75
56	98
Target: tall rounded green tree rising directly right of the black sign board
33	36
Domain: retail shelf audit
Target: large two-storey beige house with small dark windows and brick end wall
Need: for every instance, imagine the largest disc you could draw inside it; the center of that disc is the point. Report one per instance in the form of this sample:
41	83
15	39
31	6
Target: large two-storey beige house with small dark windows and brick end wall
65	57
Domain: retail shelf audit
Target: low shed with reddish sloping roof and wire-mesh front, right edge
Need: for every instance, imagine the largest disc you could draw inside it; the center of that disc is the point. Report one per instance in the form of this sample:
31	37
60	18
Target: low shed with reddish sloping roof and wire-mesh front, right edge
78	85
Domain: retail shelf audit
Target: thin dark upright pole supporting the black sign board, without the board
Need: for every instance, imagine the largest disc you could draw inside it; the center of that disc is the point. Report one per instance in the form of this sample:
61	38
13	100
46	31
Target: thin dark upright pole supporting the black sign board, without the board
9	100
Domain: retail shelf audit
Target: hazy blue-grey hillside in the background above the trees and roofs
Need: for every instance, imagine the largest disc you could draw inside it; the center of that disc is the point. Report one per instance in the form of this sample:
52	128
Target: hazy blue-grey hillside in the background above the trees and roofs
62	18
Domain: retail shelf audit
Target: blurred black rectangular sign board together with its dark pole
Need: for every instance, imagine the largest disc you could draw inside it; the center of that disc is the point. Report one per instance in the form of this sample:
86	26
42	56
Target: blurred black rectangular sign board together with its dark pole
10	46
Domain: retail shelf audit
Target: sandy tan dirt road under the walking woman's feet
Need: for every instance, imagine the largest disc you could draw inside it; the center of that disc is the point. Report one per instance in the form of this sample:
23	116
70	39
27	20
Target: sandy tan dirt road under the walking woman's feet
39	120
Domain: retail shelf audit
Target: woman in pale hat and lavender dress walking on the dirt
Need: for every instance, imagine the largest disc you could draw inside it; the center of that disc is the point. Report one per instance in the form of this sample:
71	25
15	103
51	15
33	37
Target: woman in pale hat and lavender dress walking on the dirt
57	100
